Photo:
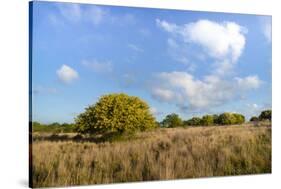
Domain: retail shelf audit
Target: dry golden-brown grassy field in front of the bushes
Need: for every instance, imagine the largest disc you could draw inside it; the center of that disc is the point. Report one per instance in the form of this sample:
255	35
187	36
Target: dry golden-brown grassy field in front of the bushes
70	159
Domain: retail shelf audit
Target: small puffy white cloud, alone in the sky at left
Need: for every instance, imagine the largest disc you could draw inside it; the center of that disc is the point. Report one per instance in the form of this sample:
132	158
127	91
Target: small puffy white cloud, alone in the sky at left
67	74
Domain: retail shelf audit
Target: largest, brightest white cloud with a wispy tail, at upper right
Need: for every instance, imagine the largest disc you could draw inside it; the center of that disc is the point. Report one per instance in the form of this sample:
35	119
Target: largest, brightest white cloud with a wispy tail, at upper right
219	40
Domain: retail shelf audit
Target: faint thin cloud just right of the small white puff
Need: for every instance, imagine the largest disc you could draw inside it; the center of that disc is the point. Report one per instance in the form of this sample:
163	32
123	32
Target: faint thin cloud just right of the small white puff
99	67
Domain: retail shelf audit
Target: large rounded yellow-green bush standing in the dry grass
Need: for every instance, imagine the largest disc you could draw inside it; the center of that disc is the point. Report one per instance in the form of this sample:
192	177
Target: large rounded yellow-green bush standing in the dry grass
116	113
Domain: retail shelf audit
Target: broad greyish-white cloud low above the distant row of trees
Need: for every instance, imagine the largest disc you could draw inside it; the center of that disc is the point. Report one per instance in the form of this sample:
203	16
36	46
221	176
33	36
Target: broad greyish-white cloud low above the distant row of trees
184	89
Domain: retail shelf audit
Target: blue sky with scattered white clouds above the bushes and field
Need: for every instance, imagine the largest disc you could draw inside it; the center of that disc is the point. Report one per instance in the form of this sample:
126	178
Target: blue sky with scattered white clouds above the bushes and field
186	62
